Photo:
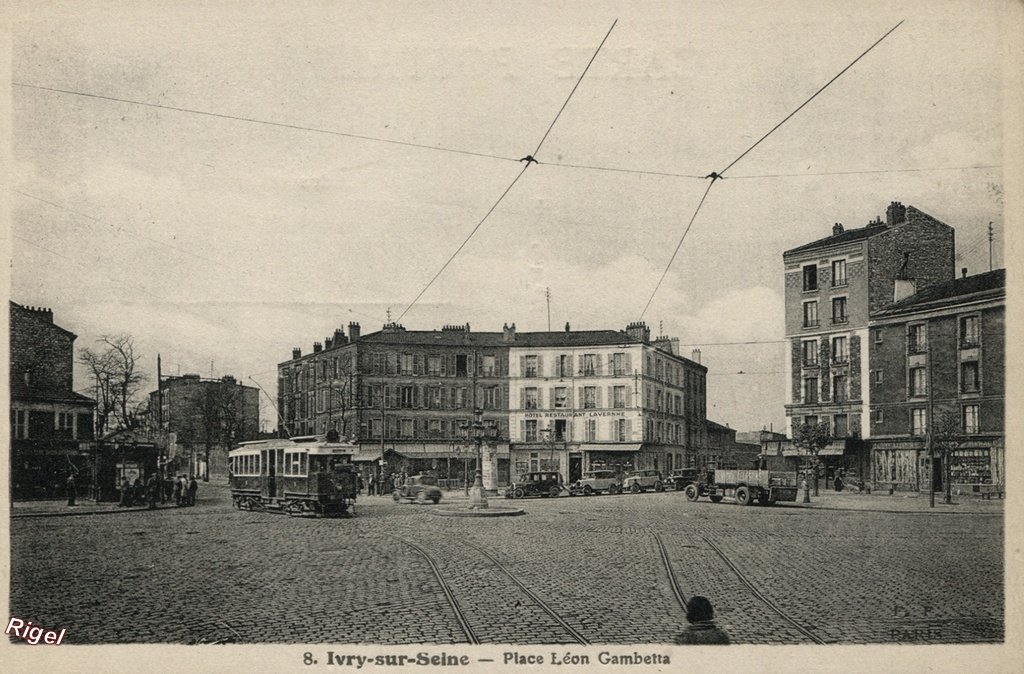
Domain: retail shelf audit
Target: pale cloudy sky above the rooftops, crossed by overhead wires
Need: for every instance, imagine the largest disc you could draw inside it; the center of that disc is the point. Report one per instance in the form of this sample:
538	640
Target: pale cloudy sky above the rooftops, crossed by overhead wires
222	243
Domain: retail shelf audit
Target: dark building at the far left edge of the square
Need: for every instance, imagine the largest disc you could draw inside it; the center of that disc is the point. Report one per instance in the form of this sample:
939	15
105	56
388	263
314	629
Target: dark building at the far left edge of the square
52	427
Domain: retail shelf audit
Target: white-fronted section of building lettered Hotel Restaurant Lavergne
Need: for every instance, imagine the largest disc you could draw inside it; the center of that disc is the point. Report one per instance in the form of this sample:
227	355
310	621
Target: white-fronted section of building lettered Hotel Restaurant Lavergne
603	399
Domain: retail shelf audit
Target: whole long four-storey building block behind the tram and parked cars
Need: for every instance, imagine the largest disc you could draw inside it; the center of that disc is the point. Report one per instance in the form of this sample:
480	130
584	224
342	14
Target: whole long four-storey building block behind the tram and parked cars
569	401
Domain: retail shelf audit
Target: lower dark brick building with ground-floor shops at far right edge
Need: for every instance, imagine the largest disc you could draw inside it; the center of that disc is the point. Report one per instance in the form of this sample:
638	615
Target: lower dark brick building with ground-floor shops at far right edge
937	353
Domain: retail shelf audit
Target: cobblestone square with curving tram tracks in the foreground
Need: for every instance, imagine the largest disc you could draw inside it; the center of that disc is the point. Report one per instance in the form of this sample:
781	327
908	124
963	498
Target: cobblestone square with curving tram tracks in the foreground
787	575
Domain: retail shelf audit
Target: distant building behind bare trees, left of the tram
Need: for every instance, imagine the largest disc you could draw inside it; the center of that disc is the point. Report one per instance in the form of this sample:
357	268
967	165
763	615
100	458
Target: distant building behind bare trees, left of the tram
202	419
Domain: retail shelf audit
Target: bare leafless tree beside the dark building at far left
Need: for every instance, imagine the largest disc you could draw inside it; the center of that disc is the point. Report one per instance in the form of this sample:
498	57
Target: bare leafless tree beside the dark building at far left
117	380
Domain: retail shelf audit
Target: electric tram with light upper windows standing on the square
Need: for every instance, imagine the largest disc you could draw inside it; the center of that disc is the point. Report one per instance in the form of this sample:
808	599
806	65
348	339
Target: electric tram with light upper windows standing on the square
306	476
